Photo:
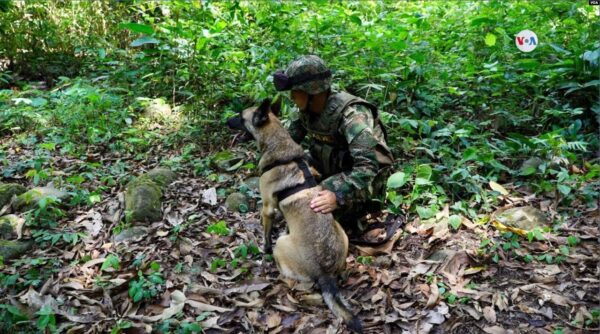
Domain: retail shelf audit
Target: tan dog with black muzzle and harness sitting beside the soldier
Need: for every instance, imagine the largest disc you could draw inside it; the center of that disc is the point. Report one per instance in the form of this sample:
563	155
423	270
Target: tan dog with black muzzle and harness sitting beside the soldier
316	247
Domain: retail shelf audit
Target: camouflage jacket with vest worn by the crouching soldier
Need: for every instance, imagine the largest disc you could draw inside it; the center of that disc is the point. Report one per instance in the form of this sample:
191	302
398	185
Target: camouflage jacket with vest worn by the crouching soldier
347	145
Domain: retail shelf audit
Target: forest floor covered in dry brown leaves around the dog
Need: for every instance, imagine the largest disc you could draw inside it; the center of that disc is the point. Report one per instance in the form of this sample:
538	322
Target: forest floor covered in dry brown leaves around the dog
429	279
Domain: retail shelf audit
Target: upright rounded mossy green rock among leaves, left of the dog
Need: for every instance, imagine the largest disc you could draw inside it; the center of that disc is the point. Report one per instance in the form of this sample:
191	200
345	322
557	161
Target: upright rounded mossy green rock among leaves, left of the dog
142	200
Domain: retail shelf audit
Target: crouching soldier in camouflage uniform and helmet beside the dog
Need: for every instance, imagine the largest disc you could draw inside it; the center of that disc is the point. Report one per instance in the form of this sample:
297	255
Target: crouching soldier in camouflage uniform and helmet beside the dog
347	141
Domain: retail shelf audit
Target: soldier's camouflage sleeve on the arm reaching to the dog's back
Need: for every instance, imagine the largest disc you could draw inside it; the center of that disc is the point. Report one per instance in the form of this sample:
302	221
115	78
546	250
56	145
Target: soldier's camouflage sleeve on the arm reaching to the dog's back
353	186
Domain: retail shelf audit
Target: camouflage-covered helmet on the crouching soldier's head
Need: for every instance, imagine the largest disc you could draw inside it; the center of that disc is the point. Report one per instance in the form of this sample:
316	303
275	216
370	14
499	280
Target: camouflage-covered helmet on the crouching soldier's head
307	65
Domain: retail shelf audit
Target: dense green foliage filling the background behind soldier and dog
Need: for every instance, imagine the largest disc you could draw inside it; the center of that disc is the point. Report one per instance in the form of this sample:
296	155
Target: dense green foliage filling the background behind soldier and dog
462	106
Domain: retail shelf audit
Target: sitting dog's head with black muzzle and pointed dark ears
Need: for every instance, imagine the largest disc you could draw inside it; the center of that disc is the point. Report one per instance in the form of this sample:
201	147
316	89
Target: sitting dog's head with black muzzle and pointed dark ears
251	120
